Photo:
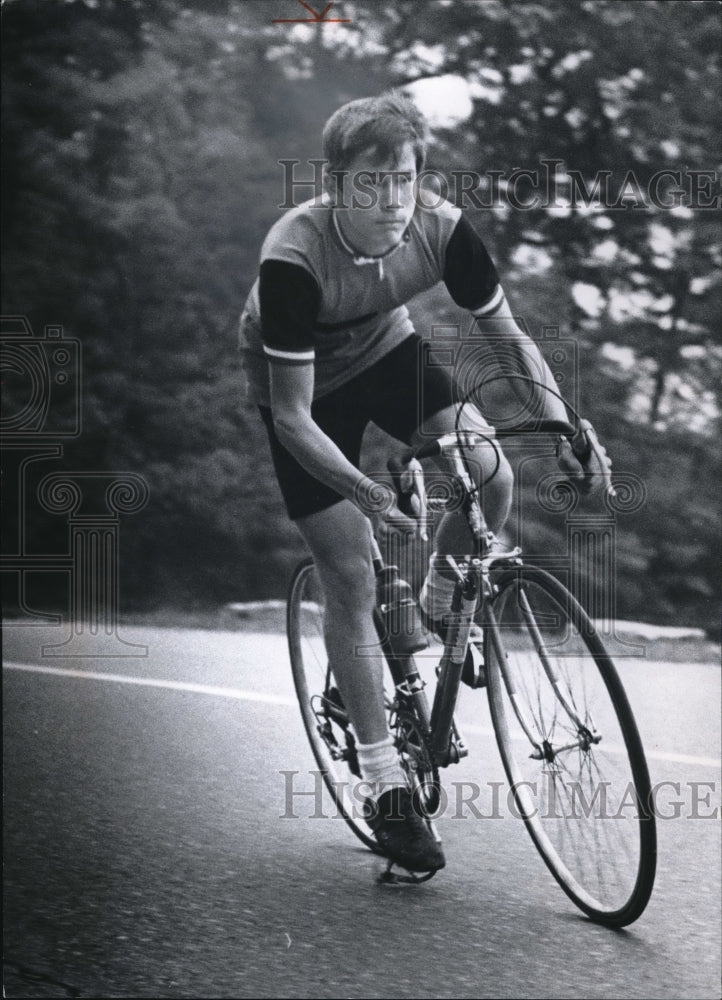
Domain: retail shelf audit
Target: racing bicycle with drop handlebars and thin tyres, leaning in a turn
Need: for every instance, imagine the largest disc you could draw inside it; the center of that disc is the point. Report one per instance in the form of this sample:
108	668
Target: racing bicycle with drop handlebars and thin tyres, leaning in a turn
562	721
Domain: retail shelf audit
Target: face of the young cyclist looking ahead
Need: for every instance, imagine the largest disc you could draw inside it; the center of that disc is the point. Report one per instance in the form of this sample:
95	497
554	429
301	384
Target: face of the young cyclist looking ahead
375	209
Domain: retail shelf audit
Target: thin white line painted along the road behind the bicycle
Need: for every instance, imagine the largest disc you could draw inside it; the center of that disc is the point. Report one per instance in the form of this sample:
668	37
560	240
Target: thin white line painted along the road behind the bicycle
277	699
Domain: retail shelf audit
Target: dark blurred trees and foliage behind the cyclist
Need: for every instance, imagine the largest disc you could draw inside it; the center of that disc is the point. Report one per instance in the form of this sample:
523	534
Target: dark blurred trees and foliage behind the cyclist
141	172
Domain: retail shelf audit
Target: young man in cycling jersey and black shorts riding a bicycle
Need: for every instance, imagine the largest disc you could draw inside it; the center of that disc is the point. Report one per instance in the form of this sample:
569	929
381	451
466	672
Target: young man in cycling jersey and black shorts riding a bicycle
328	346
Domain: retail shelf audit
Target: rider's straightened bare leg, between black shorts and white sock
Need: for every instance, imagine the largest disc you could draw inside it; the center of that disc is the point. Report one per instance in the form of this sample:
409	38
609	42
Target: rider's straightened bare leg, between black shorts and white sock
339	540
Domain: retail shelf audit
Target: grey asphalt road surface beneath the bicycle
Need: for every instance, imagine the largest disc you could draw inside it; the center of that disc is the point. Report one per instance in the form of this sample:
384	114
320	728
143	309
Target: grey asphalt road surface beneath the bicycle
145	856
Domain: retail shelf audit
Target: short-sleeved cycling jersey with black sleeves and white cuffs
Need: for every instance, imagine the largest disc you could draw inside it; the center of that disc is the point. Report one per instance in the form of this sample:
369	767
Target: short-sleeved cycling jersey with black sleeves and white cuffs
317	301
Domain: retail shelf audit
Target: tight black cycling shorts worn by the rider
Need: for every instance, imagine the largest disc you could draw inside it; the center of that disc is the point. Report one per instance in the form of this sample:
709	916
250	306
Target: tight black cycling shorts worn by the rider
397	393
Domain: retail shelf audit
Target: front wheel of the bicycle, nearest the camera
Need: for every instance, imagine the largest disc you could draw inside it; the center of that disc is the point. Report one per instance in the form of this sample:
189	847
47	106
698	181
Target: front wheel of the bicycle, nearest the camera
570	746
